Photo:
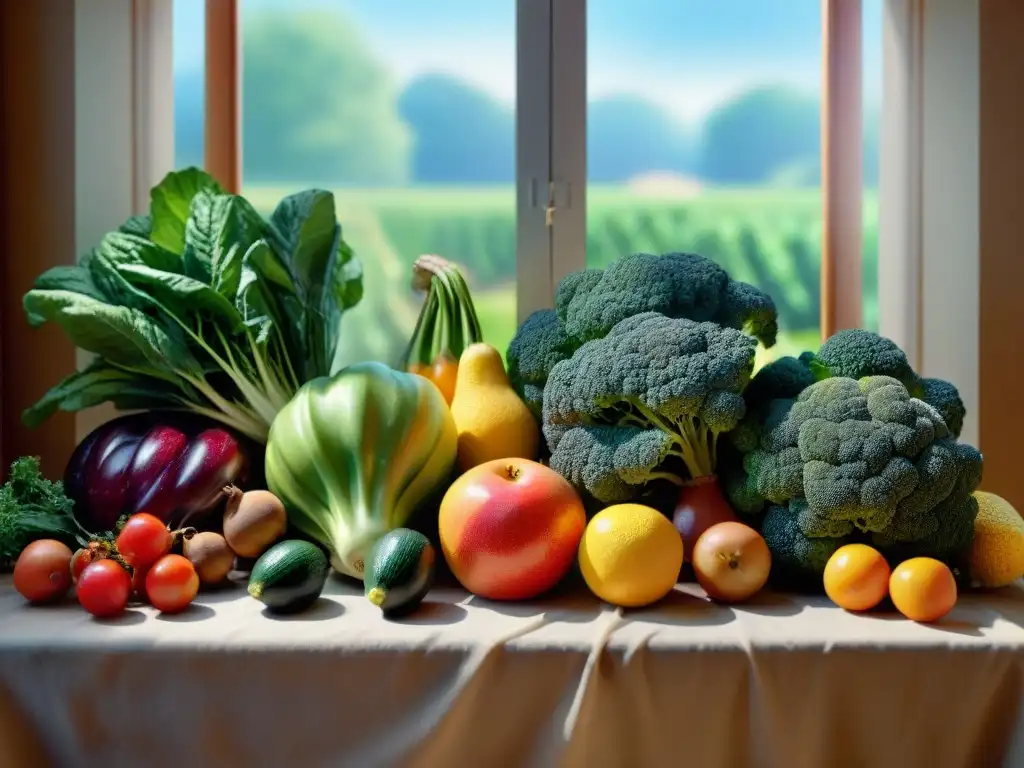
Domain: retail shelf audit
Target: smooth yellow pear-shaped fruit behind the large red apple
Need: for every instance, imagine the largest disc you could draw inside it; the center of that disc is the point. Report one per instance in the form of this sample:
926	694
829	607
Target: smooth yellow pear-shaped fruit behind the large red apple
492	421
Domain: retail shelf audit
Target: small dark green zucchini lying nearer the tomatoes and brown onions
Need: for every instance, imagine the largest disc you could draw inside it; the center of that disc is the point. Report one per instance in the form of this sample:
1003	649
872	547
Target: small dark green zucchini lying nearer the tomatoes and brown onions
289	577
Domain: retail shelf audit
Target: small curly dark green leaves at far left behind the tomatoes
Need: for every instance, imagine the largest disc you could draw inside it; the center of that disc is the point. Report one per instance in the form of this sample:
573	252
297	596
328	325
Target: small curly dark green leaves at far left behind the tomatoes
32	508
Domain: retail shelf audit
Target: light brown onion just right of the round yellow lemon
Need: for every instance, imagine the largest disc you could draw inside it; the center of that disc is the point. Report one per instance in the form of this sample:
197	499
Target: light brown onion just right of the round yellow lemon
732	563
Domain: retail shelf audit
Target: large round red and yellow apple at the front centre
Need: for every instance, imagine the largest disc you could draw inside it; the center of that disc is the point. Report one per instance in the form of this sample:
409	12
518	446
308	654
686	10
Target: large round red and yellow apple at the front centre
510	529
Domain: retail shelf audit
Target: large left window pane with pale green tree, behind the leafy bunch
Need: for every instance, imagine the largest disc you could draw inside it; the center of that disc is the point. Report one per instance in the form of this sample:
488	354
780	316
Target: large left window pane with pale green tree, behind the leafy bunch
406	111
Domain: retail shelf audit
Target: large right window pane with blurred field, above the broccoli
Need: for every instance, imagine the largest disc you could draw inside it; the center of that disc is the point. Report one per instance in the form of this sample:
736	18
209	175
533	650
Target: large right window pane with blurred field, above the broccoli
705	137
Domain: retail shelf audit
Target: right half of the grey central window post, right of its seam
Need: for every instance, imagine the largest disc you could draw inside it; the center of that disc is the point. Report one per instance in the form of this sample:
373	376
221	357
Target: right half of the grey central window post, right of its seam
569	138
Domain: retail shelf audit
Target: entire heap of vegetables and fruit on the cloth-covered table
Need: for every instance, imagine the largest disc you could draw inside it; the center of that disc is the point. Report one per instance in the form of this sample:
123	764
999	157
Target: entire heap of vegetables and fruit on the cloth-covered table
626	436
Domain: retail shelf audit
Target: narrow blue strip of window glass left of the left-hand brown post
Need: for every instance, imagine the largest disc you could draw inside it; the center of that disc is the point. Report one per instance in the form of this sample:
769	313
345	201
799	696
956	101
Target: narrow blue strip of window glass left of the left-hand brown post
190	70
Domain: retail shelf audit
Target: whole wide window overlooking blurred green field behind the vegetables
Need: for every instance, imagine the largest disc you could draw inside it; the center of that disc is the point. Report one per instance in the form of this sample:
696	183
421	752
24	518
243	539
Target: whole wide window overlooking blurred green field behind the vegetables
703	123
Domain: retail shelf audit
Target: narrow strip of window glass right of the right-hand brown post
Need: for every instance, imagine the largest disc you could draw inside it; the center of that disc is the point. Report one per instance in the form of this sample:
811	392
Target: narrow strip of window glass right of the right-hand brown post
872	46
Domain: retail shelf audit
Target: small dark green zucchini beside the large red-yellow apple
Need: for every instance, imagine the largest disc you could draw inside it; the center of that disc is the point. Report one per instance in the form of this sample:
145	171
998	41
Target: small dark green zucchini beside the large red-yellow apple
401	572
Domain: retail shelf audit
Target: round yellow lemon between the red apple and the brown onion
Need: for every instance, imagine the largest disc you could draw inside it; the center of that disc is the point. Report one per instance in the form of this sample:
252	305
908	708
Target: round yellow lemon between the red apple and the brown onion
631	556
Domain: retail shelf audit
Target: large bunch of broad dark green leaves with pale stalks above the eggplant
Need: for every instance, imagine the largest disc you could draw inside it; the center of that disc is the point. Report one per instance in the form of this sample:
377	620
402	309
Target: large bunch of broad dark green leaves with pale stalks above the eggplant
203	306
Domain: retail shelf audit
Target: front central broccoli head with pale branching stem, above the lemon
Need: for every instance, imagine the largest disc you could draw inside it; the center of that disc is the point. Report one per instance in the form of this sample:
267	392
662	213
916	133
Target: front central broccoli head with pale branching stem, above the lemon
646	403
